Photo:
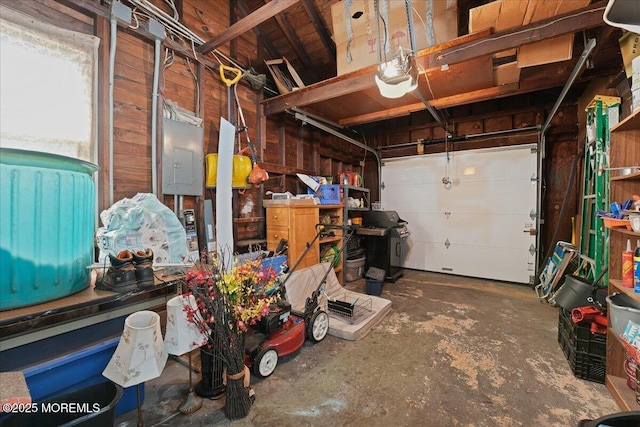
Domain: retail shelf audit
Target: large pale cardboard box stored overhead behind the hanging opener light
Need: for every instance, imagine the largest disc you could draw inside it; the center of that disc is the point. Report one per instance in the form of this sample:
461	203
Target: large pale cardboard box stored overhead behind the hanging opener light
363	48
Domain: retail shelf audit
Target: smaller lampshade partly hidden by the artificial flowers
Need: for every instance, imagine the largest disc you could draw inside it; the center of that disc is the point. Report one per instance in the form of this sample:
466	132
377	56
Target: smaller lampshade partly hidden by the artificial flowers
181	335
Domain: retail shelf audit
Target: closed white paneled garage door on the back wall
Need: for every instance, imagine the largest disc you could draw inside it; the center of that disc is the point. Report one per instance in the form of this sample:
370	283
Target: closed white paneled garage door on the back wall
478	226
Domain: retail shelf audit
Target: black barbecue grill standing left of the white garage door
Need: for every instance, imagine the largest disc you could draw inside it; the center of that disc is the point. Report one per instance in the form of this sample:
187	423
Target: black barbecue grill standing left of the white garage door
384	235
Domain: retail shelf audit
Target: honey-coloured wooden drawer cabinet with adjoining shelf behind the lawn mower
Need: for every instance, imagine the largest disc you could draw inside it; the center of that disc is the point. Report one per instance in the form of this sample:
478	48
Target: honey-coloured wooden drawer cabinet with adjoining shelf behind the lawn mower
297	224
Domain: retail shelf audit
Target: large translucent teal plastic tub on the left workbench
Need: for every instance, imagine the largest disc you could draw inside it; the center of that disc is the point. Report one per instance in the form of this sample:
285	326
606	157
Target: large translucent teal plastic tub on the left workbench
46	226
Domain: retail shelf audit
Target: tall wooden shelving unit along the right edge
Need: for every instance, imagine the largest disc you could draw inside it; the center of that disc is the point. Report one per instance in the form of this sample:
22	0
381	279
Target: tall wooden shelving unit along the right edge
624	151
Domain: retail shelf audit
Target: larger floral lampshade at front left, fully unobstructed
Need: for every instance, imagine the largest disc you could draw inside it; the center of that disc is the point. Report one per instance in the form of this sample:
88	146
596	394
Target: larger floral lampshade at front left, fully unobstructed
140	355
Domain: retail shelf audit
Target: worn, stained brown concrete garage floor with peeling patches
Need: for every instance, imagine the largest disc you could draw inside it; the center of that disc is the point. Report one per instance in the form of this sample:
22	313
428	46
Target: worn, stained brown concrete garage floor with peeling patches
452	352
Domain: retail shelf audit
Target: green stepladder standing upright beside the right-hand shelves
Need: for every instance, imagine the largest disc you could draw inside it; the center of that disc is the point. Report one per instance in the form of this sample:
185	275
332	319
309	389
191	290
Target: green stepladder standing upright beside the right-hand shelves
594	235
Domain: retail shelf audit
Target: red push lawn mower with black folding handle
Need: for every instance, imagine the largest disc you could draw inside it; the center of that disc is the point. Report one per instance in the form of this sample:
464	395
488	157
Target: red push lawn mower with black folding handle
284	330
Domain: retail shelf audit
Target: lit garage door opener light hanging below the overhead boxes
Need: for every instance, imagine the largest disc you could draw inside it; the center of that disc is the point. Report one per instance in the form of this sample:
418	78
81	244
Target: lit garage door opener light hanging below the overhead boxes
397	76
